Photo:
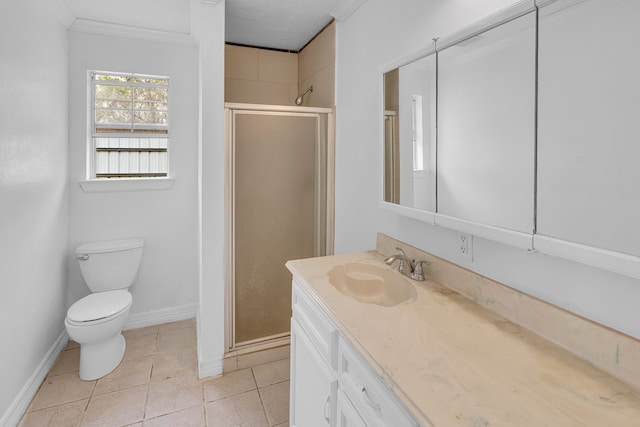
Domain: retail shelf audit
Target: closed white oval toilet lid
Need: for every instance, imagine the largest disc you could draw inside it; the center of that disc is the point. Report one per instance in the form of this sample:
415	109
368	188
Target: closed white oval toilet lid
99	305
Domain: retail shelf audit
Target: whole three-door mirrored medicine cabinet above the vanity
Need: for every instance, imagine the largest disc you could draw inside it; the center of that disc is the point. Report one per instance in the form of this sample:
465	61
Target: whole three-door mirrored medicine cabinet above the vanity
521	129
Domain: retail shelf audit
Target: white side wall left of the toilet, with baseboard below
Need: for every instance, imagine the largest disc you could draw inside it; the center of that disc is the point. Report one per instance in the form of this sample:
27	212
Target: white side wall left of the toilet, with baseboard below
33	190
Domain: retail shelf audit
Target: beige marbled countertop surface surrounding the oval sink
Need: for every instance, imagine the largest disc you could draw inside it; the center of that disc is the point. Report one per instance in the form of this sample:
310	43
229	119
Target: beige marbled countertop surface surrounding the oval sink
453	362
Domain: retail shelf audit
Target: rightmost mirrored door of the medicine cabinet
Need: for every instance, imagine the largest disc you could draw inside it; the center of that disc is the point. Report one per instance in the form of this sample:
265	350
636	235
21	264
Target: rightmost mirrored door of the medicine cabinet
589	114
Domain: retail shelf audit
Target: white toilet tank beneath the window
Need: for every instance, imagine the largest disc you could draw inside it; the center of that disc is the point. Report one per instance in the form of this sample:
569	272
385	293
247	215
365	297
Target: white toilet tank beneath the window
110	265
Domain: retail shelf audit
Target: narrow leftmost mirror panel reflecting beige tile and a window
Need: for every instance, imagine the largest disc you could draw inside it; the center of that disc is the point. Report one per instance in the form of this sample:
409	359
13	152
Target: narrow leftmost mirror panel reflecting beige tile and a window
409	154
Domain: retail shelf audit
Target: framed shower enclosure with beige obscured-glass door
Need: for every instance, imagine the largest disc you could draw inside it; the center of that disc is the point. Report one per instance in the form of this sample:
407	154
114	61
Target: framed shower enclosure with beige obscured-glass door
280	164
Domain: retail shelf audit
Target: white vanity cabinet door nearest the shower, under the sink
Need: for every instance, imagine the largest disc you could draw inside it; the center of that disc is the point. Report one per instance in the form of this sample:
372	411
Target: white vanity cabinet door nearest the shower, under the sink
313	384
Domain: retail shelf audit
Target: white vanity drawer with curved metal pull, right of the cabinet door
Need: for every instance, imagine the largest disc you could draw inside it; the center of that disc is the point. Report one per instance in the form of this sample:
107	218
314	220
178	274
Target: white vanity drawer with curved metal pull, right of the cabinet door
377	405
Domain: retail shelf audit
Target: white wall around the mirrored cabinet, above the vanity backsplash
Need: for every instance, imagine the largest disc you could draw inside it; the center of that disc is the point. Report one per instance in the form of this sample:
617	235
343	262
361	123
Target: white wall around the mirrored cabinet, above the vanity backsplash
380	32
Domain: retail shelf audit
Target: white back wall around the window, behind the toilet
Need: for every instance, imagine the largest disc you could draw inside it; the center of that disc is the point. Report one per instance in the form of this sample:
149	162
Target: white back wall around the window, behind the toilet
165	219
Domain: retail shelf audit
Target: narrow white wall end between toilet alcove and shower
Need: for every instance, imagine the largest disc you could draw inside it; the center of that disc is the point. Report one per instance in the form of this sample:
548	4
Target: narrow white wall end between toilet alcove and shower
212	192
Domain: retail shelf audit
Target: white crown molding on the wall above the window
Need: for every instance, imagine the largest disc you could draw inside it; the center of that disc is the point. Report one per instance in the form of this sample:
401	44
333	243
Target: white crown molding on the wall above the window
117	30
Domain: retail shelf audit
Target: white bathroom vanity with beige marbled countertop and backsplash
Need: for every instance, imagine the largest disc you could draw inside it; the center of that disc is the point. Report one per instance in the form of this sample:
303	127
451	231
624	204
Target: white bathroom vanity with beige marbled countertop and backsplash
439	358
